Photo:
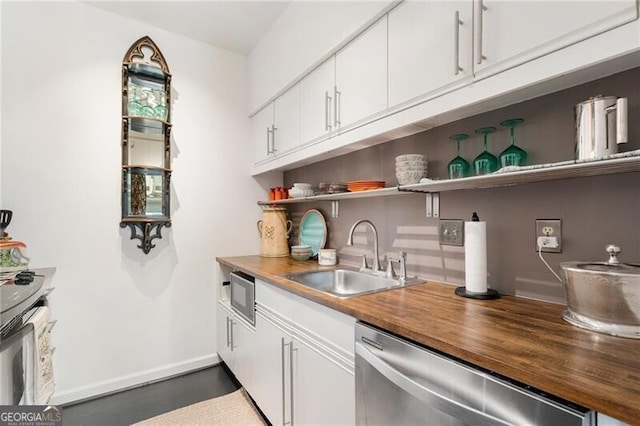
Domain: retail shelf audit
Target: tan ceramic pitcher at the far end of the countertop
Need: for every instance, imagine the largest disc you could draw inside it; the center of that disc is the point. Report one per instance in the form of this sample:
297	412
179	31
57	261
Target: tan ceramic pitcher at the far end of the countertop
274	231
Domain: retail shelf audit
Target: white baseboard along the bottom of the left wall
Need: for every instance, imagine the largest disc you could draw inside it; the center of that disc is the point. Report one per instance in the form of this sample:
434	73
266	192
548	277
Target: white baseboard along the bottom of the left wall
132	380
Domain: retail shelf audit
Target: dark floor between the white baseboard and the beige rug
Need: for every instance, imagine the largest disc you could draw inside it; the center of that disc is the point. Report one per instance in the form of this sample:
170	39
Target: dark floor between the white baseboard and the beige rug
134	405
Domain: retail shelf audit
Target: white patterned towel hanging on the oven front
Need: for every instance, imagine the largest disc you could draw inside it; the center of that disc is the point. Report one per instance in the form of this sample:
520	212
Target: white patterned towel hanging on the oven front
43	383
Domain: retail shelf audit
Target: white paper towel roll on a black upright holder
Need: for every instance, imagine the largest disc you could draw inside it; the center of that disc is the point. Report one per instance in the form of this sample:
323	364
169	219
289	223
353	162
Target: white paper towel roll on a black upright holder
475	256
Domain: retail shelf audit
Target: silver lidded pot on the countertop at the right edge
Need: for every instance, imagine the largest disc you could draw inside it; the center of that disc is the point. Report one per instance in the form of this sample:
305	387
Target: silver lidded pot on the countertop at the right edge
603	296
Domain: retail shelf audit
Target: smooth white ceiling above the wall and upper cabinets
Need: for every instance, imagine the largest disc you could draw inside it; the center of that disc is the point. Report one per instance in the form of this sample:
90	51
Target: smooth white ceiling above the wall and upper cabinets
233	25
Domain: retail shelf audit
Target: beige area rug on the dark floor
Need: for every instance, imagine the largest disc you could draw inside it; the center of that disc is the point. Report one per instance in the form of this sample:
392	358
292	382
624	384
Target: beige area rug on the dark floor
232	409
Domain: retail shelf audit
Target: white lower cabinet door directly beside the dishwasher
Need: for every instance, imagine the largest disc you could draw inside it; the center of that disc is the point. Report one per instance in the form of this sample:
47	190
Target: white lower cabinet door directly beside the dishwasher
324	393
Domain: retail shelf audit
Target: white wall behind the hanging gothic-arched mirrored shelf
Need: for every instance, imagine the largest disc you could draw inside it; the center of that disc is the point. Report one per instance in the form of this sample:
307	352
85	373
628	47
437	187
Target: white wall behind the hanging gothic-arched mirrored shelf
123	317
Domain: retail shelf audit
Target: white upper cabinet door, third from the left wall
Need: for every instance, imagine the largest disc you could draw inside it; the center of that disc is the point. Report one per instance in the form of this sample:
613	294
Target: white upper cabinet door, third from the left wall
316	101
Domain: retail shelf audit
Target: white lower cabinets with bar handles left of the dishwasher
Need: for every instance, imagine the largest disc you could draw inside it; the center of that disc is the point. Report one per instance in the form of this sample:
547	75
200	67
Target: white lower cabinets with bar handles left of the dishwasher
297	363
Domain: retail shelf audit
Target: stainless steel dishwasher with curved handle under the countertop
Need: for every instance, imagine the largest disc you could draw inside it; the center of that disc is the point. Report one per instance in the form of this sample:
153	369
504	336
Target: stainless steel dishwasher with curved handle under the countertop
401	383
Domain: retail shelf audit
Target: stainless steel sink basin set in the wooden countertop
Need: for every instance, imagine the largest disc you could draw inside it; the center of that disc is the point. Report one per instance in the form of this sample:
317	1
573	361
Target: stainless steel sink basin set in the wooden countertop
343	283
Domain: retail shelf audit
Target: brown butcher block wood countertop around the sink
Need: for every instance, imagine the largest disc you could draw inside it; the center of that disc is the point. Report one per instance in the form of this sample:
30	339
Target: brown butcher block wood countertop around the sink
522	339
